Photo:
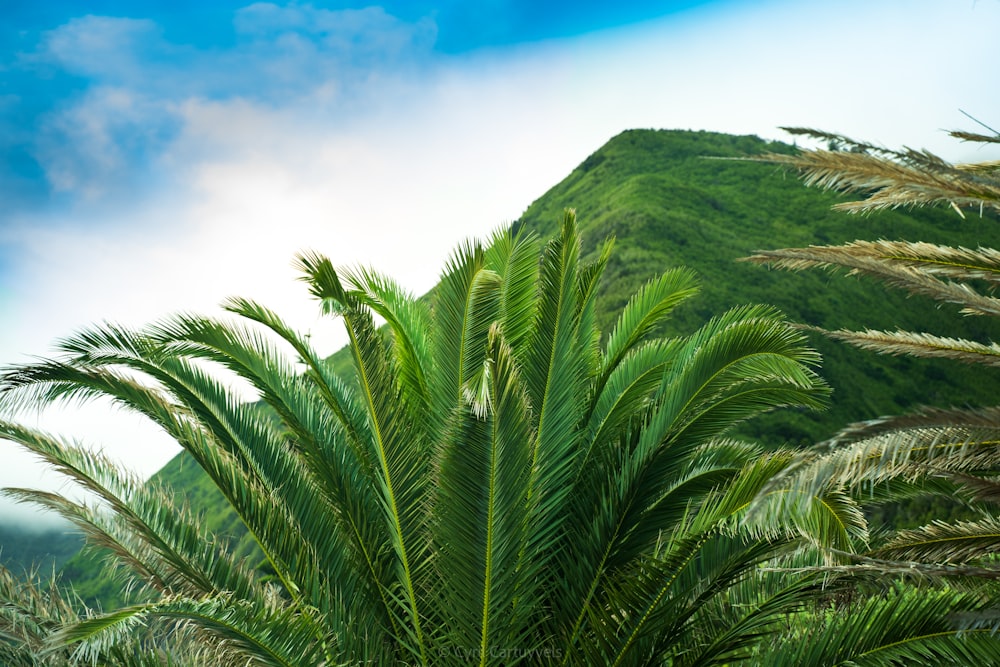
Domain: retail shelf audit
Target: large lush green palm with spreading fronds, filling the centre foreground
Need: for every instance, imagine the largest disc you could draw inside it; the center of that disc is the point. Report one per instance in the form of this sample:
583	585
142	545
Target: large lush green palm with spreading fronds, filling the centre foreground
493	486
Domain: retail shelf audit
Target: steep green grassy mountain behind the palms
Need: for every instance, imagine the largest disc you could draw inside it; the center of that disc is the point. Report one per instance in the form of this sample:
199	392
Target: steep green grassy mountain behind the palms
670	201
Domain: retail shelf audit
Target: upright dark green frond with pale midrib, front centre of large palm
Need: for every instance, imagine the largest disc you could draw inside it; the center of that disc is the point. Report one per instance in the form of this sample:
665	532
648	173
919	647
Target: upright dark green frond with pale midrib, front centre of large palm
484	473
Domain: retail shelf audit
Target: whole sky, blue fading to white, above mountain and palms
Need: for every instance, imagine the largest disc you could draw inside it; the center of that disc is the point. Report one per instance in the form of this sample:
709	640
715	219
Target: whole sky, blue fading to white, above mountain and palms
159	156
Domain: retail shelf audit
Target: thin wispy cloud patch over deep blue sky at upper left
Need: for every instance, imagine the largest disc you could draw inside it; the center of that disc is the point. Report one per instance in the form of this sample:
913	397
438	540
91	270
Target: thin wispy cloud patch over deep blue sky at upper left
101	141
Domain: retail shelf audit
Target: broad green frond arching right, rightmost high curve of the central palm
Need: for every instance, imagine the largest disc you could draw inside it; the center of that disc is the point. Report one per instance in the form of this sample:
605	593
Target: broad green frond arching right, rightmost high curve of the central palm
749	358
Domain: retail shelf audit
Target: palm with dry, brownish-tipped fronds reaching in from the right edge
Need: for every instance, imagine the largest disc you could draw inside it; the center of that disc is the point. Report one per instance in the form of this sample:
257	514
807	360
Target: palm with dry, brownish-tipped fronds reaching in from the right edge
946	451
